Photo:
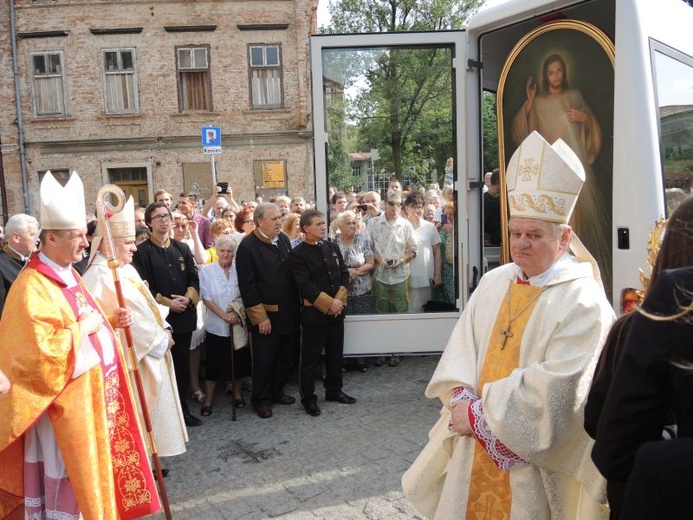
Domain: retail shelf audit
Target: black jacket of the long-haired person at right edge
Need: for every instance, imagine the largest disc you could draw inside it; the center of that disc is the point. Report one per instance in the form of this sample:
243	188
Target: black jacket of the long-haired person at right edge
654	375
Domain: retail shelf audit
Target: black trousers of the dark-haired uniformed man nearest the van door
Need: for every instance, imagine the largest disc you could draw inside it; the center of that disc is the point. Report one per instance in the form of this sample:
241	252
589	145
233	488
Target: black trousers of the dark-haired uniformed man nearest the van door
331	338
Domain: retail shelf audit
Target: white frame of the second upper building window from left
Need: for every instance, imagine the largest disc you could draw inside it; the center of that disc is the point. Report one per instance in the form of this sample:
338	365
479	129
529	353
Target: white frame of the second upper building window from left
126	76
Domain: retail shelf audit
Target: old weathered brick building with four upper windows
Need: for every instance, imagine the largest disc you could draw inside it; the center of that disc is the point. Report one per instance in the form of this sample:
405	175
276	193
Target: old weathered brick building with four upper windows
119	90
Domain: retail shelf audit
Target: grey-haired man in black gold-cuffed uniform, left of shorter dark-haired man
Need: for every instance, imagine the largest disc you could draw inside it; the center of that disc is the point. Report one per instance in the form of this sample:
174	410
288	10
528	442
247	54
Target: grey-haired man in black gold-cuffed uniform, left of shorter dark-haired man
271	302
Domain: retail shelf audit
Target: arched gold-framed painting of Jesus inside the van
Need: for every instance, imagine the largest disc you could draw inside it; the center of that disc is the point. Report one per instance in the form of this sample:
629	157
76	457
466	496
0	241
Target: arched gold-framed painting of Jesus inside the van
586	58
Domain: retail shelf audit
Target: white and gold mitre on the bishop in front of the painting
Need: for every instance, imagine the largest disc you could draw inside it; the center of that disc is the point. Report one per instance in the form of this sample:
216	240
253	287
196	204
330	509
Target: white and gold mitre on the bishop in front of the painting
543	180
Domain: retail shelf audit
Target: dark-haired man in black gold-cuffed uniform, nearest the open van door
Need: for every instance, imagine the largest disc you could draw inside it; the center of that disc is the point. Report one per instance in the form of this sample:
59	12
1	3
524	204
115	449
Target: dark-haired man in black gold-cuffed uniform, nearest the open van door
322	276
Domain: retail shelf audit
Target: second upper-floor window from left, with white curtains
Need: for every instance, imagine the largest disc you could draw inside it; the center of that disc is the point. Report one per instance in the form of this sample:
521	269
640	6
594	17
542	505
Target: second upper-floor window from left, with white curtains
120	81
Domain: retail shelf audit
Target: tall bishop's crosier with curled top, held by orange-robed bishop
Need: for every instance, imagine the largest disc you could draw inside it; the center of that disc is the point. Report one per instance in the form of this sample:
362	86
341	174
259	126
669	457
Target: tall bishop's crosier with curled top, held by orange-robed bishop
105	206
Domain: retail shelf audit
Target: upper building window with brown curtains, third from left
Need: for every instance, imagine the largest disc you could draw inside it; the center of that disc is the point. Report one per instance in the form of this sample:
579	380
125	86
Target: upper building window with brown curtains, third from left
194	84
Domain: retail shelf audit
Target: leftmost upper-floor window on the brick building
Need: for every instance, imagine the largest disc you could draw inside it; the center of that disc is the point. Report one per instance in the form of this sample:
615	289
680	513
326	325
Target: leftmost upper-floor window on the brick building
49	84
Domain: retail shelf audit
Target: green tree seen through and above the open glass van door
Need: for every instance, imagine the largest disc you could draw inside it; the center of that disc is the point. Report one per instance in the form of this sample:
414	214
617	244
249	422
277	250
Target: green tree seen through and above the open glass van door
404	104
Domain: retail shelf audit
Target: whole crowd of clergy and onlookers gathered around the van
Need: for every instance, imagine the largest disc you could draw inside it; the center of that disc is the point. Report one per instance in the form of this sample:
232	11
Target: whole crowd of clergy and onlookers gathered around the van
537	421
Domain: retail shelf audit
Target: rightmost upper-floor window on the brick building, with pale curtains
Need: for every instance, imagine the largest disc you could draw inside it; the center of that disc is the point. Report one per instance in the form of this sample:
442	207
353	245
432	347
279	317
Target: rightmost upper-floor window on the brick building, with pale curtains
265	76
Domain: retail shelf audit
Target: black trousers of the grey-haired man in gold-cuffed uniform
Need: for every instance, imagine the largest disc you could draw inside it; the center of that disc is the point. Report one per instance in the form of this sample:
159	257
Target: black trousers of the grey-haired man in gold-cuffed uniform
272	357
